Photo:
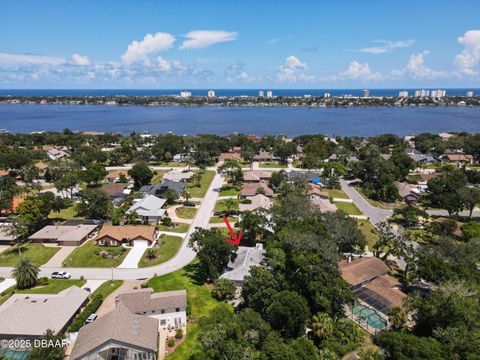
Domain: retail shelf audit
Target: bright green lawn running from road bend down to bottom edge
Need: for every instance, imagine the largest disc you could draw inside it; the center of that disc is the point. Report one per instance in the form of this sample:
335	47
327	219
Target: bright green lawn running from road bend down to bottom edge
199	300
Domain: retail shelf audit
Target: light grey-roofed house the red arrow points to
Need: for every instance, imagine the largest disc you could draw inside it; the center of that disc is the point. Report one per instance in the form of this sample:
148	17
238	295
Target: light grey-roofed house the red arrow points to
246	258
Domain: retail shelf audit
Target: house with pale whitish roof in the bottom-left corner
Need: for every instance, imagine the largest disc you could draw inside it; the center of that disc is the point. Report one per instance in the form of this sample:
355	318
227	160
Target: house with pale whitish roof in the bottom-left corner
29	316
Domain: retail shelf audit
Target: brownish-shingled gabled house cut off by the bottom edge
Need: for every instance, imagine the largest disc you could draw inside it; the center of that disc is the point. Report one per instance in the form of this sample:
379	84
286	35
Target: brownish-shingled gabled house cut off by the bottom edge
120	334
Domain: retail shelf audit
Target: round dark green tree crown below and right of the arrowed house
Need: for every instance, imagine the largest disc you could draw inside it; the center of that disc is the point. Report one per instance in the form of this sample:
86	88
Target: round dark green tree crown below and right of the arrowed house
288	313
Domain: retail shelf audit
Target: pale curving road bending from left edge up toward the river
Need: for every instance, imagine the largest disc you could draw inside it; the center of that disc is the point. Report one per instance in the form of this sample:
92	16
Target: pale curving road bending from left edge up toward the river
183	258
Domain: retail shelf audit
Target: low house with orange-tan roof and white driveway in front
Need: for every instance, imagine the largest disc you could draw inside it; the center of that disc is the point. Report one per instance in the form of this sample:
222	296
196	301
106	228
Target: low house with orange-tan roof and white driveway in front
127	234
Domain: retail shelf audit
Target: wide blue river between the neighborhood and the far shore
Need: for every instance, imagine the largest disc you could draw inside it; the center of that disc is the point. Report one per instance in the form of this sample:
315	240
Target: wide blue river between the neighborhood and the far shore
225	120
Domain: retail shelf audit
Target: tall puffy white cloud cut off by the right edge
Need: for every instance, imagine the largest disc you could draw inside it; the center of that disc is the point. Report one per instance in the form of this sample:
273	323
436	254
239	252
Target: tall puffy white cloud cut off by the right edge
470	56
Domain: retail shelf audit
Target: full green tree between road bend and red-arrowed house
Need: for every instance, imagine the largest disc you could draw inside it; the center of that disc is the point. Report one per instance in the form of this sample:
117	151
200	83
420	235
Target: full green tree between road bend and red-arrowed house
212	250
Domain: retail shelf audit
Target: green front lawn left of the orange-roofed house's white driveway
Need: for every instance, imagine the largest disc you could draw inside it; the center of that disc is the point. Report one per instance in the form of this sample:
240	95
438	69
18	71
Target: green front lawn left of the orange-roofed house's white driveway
87	256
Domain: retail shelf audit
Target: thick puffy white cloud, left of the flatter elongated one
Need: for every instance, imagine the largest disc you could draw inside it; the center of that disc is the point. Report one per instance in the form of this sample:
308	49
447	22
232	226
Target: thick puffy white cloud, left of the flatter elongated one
139	50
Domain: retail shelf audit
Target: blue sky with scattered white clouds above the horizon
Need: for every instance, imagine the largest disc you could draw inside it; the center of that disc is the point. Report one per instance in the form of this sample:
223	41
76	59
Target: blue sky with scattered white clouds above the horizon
239	44
